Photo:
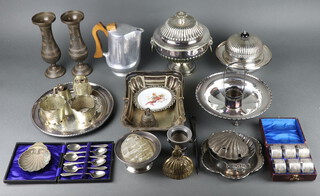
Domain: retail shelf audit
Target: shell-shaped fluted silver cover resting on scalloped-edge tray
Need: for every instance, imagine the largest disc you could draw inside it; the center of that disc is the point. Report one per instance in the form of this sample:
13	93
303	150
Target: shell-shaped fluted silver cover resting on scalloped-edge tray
228	145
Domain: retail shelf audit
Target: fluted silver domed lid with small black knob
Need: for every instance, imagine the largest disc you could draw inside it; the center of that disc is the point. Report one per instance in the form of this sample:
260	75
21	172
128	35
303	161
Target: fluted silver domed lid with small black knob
244	46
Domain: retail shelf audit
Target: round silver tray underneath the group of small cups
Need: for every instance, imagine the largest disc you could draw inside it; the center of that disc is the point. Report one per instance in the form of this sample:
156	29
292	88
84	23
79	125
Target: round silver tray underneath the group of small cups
104	101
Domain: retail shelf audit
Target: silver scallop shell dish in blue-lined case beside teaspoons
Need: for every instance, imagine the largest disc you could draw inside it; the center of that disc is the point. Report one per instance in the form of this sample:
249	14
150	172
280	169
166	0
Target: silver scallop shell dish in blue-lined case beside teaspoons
35	158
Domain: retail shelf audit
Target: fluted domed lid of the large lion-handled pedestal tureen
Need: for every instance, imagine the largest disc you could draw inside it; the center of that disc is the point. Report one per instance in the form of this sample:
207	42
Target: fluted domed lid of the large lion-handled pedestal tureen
181	28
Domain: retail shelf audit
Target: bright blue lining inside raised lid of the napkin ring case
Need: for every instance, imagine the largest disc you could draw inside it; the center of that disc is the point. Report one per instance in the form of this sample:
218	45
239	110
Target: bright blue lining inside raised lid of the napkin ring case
282	131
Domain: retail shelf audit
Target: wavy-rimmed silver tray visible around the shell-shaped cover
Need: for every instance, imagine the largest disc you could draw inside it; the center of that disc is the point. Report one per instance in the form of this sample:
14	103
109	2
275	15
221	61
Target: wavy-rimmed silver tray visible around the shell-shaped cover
232	170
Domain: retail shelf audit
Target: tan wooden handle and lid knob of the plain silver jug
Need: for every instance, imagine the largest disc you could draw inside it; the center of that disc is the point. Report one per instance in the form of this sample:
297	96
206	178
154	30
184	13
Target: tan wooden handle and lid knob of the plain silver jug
95	29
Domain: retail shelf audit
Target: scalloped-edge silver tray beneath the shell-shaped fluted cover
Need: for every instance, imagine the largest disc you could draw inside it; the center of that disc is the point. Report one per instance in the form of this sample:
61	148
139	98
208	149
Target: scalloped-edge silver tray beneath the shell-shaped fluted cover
216	166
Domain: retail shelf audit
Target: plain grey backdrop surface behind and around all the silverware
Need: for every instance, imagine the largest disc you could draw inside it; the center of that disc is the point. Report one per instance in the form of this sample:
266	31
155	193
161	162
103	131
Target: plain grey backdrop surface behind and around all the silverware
291	29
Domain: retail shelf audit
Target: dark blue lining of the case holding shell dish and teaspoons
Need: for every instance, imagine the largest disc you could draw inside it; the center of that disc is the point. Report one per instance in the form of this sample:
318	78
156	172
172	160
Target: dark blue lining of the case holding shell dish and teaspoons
52	171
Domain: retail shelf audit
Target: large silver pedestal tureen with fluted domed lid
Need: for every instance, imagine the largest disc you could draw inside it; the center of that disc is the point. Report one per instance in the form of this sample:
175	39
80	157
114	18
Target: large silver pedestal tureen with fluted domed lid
181	40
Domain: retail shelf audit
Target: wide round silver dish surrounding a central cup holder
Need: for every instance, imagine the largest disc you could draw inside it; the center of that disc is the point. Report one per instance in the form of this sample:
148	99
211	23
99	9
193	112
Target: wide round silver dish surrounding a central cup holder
256	100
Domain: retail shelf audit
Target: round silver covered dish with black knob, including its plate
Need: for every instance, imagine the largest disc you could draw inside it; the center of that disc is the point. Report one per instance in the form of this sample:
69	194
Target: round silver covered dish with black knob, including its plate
243	51
